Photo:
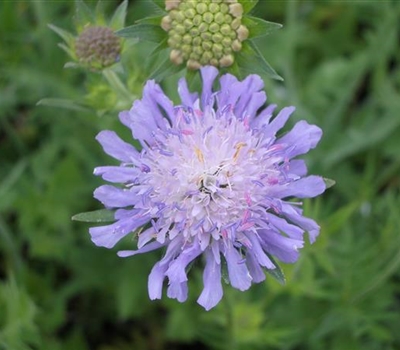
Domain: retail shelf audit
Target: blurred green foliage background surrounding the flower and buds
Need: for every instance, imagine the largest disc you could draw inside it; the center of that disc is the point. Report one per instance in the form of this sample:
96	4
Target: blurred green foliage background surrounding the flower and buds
340	61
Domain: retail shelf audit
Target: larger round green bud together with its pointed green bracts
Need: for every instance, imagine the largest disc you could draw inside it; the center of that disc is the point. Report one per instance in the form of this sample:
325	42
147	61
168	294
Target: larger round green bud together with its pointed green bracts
205	32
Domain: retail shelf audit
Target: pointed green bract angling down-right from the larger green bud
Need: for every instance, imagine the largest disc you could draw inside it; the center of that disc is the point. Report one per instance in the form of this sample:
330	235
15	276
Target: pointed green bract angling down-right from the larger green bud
250	60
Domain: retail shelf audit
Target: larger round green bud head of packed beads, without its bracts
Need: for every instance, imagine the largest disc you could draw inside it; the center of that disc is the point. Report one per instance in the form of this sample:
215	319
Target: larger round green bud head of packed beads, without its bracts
204	32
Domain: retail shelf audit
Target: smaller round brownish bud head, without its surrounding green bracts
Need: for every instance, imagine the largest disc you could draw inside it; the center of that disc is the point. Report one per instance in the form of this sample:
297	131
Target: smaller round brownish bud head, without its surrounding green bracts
97	47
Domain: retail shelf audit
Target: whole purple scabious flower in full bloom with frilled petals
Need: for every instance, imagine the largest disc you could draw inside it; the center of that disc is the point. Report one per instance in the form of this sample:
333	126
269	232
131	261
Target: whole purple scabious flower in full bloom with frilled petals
212	180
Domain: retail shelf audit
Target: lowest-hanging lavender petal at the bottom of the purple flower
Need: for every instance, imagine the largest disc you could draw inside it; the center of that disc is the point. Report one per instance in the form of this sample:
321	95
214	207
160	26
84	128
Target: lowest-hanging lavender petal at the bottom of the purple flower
212	292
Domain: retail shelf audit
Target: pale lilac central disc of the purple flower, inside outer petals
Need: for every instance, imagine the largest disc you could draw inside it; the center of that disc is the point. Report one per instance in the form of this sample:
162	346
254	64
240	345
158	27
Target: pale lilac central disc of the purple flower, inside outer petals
209	175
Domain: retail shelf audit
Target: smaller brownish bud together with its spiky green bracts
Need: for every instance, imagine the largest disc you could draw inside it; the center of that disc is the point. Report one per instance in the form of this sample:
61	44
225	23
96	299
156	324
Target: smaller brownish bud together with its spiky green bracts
96	46
